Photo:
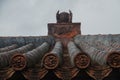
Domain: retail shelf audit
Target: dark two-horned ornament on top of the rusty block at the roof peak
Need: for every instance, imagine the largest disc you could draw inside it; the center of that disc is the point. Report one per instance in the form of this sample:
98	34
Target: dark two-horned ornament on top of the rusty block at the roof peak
64	17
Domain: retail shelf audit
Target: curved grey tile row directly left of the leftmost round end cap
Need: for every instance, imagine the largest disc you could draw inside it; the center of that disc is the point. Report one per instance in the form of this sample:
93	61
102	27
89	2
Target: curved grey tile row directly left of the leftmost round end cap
6	56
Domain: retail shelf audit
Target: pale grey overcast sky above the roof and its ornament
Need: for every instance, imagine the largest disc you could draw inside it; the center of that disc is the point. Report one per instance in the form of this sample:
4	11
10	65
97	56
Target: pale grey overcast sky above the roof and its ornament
30	17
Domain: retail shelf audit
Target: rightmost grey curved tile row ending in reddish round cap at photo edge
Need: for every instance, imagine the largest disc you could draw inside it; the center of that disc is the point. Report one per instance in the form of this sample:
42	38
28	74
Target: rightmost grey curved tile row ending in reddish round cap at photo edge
99	51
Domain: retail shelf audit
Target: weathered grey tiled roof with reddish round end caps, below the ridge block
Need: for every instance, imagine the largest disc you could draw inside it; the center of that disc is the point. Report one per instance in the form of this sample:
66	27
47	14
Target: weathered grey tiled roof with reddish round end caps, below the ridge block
41	54
